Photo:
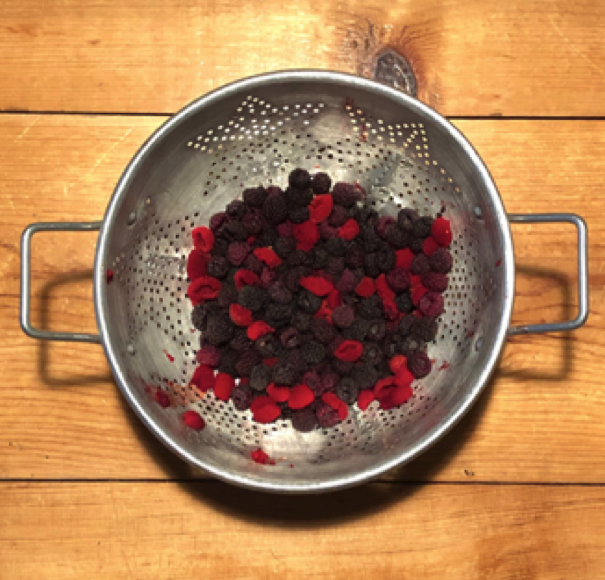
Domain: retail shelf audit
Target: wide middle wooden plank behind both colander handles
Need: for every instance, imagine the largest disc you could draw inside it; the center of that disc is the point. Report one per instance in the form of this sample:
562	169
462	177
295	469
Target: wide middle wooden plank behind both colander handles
62	416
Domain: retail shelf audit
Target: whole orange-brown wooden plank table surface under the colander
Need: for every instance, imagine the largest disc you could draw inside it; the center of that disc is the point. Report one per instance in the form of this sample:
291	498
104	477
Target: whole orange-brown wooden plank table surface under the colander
516	491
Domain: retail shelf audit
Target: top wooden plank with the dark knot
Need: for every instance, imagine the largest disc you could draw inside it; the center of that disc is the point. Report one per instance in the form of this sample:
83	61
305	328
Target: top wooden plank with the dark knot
471	57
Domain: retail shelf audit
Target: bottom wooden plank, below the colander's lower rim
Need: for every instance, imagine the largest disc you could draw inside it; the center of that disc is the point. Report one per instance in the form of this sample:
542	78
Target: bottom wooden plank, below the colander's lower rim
389	531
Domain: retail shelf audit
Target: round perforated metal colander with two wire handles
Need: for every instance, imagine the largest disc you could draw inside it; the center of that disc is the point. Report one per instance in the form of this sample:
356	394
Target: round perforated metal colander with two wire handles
255	132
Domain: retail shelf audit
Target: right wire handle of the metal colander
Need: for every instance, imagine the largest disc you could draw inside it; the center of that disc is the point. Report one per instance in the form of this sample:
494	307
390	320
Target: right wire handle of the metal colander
580	319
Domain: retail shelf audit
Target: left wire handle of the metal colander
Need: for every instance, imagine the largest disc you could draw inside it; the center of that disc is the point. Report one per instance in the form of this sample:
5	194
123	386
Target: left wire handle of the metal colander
26	276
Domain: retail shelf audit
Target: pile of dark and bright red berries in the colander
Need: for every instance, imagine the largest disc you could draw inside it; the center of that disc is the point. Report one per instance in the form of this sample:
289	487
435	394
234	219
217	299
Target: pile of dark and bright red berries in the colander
308	302
